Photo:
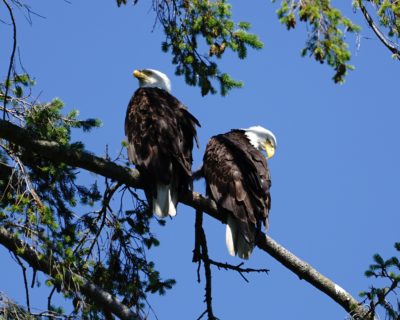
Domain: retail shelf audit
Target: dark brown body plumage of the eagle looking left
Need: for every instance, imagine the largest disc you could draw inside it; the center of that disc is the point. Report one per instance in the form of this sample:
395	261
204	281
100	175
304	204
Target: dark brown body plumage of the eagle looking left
160	134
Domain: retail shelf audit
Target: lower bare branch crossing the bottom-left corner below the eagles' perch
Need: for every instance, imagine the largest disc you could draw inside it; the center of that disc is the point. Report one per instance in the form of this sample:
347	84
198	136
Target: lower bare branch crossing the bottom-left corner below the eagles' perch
90	290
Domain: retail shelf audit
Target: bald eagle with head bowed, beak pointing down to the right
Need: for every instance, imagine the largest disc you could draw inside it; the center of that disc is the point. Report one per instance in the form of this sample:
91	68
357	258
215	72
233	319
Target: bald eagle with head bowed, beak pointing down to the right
238	180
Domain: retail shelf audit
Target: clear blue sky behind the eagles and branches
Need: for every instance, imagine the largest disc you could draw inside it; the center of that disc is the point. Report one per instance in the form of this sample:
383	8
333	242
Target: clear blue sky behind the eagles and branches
335	174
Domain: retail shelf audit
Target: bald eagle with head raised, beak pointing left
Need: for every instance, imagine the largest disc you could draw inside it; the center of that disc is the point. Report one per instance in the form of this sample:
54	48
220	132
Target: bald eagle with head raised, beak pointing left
160	133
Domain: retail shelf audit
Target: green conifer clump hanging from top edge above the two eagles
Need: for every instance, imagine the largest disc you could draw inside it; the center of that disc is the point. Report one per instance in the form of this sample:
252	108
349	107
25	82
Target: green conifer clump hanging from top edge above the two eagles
198	33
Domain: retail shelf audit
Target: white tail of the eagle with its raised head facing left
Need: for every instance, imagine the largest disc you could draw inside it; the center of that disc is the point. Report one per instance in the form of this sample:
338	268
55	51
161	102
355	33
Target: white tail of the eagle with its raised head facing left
165	203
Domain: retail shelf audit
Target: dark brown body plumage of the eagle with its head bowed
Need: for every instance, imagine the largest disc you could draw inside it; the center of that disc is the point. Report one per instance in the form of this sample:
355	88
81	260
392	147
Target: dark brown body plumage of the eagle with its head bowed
238	180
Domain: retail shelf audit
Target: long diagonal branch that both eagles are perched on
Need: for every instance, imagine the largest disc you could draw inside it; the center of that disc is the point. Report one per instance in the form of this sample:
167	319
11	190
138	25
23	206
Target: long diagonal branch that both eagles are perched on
131	177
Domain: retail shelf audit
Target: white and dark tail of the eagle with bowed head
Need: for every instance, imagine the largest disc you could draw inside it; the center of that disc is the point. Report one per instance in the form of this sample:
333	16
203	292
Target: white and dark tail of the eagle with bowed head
235	242
